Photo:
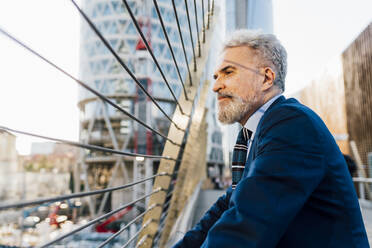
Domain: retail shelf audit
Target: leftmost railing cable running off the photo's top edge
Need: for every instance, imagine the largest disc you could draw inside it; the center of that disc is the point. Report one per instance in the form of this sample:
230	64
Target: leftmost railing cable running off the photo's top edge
121	62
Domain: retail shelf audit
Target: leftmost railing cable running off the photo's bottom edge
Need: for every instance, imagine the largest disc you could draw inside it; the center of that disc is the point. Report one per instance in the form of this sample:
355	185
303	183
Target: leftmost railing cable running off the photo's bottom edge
99	218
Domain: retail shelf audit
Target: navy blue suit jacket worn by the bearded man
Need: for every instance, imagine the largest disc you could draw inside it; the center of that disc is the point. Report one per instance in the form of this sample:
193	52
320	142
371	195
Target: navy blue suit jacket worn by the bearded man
296	190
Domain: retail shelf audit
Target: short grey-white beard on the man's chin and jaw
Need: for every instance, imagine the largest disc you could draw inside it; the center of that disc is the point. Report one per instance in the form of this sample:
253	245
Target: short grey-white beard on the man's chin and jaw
234	111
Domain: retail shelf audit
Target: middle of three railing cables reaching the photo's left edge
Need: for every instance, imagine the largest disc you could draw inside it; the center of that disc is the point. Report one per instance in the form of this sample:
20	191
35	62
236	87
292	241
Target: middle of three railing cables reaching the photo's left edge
86	146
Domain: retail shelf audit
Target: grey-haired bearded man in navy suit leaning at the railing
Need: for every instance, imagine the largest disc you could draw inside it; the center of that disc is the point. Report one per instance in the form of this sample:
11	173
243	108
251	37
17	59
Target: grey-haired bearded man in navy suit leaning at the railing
295	190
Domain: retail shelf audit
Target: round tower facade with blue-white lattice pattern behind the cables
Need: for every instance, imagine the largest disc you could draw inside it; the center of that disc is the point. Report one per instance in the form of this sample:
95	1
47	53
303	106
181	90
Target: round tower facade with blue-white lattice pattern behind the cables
103	125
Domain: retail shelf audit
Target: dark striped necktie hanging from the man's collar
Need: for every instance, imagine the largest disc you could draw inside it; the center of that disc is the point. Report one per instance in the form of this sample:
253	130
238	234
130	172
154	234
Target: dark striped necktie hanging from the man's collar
240	156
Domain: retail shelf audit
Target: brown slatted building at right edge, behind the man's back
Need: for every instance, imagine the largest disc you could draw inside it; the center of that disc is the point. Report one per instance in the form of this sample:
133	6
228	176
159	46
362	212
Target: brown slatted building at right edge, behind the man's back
347	111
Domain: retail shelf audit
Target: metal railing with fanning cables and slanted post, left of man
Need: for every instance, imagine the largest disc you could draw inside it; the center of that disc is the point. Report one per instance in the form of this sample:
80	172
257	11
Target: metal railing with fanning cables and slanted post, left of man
172	169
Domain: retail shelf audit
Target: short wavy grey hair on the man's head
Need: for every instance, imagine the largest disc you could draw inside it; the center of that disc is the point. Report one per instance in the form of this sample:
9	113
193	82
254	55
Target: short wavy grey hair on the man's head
267	46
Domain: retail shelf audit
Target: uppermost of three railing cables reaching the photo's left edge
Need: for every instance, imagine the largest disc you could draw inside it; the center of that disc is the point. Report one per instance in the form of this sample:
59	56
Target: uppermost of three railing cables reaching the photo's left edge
86	86
